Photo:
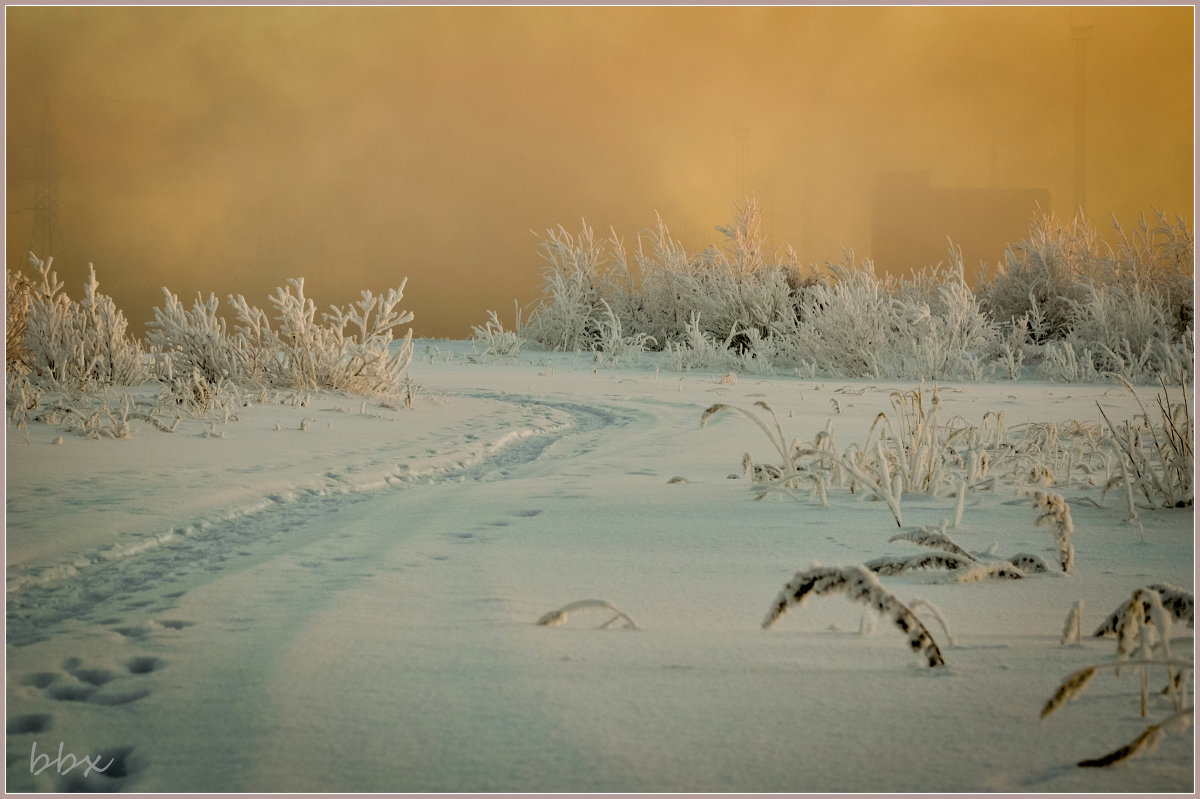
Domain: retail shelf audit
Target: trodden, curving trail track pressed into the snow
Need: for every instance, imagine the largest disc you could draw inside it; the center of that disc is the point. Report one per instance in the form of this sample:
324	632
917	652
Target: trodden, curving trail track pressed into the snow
106	586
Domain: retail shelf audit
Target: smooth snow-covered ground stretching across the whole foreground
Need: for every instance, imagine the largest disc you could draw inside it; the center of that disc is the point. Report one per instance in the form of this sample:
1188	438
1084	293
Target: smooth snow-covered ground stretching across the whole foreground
344	597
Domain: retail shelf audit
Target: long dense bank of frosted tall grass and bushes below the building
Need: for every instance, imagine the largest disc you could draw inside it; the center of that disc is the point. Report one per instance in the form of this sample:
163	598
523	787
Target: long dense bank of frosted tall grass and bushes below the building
1063	305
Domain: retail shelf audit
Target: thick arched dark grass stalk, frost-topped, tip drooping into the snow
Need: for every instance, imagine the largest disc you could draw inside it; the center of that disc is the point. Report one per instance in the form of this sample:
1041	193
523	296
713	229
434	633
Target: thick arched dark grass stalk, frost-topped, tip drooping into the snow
861	586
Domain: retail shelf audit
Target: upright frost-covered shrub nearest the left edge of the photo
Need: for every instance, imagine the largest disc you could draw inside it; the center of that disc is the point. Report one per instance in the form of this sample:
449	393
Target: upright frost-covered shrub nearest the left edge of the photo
79	346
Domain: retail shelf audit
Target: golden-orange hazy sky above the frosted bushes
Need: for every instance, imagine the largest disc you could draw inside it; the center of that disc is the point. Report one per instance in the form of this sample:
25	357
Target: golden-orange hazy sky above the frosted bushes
226	149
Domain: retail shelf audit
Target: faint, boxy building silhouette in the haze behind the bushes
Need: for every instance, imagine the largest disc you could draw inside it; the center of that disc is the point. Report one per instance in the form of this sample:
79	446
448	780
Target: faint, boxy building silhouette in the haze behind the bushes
911	223
